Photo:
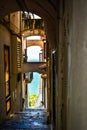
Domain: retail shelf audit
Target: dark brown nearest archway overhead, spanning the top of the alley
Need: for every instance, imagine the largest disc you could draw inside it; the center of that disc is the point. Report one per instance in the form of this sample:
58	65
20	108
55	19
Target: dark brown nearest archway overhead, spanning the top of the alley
40	8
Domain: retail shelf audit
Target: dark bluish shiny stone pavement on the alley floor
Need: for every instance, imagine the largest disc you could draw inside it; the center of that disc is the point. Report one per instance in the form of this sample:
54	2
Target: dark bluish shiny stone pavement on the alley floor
29	119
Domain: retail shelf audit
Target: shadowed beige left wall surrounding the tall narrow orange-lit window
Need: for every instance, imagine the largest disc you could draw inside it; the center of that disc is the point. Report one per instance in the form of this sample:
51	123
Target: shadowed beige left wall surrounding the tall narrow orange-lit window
15	86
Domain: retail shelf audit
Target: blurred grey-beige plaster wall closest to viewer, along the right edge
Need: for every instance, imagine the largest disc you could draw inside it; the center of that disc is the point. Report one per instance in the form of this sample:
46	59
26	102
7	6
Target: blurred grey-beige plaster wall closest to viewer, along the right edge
77	65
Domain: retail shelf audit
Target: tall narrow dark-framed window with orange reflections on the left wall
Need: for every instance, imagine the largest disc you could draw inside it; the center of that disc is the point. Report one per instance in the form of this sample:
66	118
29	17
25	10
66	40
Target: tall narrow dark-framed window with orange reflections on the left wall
7	77
